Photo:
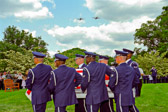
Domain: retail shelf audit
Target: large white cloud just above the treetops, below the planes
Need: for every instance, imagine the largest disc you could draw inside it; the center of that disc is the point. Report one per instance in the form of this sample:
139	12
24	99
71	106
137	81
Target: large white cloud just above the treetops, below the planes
102	39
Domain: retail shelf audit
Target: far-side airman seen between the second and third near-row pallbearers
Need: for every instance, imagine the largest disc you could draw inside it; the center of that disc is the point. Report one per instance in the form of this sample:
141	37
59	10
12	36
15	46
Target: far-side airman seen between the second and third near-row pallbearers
81	106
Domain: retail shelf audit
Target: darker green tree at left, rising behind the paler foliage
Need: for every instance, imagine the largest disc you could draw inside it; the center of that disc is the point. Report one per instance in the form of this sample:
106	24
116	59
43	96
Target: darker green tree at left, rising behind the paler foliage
24	39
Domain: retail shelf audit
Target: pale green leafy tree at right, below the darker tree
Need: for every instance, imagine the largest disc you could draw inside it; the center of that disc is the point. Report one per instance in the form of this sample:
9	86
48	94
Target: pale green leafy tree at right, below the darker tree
156	59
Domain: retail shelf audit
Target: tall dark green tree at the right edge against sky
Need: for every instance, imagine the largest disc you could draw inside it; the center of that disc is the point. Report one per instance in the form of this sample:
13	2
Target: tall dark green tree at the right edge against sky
154	34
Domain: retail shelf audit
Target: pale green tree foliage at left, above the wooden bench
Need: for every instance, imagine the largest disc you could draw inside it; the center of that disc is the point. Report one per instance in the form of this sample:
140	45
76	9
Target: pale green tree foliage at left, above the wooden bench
16	61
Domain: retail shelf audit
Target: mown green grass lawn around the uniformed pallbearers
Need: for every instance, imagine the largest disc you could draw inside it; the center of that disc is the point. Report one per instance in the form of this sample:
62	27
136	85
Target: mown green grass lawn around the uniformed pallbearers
154	98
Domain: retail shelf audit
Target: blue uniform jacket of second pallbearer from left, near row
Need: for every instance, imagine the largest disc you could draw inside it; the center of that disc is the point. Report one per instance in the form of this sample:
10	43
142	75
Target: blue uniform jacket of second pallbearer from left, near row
62	85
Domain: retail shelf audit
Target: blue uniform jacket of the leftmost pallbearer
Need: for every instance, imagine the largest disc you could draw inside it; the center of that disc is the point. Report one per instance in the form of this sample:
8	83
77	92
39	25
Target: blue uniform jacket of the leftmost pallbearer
37	82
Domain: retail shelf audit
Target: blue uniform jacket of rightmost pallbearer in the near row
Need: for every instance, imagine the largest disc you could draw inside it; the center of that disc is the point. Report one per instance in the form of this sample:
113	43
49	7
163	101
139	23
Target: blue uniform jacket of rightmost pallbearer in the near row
121	84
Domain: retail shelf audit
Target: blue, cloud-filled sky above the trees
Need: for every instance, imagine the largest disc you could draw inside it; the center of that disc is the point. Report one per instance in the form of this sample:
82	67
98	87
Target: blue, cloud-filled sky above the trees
56	21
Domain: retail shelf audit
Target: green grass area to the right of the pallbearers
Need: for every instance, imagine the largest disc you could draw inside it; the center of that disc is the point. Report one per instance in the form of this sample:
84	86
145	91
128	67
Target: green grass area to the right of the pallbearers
154	98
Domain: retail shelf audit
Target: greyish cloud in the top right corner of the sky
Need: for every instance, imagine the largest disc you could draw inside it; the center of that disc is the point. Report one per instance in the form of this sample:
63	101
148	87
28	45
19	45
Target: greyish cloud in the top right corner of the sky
125	10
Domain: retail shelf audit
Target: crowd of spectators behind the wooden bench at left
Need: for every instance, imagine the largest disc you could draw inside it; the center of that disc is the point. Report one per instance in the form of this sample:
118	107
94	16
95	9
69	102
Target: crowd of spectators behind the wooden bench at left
16	77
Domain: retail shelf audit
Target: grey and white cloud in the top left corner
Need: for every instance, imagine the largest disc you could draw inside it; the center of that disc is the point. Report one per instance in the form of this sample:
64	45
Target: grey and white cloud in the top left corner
25	9
